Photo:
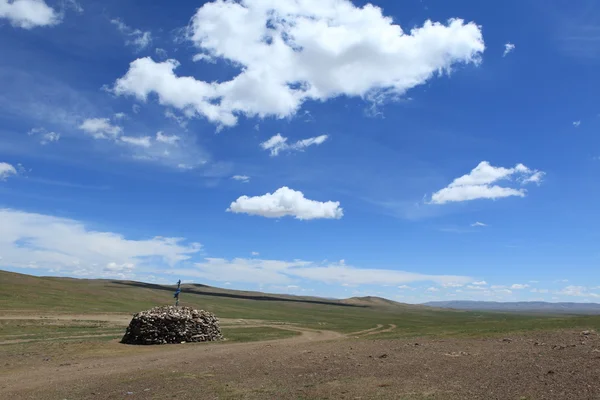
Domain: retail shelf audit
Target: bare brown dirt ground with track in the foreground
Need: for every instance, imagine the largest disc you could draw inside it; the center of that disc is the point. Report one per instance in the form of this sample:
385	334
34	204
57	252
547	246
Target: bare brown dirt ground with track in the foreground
313	365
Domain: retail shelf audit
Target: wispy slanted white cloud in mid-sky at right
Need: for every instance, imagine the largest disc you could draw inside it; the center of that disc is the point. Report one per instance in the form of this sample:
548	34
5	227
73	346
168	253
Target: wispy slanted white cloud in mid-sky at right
478	184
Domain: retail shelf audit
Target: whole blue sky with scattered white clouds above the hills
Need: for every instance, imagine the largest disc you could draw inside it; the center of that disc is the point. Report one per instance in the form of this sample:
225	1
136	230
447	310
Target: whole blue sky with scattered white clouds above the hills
416	150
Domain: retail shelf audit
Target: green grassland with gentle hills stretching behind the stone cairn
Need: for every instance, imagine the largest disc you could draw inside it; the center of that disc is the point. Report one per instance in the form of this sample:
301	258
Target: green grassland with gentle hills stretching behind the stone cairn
28	294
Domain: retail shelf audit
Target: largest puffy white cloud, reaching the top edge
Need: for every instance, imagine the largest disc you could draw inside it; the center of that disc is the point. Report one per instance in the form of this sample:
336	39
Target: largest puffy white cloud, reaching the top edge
292	51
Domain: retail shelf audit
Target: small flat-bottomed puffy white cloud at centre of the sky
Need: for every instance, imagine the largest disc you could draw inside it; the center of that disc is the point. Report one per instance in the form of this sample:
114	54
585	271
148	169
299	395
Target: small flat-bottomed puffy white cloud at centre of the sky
286	202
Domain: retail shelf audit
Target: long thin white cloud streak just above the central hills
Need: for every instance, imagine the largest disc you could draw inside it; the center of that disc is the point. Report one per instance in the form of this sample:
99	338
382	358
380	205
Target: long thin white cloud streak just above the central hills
286	272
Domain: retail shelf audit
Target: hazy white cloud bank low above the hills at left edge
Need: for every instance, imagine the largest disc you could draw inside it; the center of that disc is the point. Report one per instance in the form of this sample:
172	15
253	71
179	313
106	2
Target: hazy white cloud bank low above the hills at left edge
29	240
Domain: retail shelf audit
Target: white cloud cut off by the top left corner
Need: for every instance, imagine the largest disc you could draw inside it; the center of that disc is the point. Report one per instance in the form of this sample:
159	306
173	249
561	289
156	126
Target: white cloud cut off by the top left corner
28	14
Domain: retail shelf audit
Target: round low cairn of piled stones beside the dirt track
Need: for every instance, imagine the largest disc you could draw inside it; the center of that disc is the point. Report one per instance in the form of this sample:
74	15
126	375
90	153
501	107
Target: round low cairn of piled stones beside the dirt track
170	324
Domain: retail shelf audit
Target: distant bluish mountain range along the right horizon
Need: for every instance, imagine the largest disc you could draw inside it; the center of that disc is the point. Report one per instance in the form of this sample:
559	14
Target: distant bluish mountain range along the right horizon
521	306
